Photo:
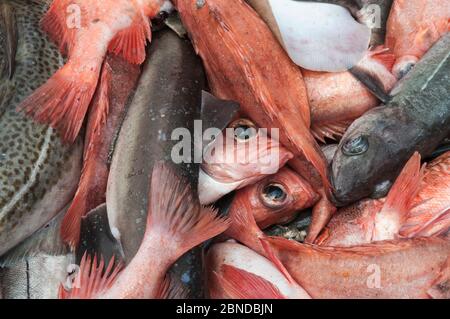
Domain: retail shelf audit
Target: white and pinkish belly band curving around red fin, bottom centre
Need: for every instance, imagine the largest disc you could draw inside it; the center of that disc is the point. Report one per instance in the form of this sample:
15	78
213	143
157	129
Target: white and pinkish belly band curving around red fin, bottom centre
234	254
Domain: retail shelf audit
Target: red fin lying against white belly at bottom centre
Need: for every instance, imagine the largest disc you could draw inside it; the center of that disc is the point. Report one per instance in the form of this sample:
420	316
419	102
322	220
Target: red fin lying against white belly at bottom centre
240	284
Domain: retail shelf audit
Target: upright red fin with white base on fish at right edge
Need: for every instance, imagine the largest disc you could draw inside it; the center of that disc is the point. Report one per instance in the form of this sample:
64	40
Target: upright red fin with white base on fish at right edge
398	204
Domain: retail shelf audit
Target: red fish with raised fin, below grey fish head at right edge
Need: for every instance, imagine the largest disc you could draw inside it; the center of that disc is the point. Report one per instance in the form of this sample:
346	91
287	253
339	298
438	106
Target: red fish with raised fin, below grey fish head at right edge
417	205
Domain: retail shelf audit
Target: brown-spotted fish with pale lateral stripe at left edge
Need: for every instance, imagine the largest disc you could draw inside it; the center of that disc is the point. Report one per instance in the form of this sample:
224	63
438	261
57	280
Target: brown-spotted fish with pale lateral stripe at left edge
38	174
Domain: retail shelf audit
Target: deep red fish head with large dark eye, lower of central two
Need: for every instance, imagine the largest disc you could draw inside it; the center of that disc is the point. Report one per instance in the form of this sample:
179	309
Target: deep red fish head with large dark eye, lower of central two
277	198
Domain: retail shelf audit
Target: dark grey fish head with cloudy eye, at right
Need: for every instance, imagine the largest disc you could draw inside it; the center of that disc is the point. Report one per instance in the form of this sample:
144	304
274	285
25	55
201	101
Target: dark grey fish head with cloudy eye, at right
365	160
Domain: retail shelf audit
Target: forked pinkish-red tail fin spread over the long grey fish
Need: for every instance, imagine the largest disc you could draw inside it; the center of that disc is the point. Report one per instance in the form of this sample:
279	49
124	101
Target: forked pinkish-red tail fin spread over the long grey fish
176	213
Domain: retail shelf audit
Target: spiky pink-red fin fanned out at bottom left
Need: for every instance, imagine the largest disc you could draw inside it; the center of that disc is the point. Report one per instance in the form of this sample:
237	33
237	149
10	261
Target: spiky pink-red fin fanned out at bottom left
92	279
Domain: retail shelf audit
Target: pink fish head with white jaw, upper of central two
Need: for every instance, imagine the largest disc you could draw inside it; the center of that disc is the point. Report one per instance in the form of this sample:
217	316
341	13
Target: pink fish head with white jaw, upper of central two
242	155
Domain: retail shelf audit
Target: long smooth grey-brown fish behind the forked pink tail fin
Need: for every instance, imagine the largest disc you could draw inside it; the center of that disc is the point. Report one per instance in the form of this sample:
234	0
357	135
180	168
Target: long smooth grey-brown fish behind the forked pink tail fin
168	96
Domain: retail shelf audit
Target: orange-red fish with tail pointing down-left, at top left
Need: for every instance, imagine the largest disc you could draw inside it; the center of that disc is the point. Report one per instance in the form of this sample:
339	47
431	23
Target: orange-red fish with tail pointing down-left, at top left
121	27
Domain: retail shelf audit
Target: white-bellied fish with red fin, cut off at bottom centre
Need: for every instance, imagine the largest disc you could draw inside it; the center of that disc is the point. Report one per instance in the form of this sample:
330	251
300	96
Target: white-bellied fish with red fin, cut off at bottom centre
234	271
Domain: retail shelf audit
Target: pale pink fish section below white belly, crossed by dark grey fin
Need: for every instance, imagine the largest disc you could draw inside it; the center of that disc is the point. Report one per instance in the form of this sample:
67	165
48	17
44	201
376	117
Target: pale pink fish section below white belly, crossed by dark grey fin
337	99
